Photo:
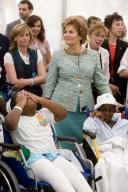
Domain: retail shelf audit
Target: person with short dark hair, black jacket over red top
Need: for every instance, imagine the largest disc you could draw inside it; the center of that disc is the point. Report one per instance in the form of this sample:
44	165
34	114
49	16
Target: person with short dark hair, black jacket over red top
116	48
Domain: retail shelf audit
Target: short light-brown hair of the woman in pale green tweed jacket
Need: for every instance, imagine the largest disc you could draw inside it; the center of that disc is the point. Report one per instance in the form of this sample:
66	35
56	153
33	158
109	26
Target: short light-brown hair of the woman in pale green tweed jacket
79	24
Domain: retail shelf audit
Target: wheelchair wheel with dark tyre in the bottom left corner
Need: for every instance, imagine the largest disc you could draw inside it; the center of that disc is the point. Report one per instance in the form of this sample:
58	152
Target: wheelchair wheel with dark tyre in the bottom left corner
8	181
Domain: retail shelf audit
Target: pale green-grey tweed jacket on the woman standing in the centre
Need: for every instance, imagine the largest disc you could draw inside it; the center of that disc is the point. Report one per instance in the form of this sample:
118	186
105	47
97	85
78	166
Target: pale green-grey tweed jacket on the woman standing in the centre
70	76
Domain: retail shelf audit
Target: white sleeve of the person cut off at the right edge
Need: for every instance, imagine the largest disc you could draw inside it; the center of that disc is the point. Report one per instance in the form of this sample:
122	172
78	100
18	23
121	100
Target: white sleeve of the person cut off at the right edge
124	62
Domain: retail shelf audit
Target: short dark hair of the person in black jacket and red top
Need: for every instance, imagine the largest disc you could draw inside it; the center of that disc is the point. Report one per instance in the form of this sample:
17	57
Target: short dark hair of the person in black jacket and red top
109	19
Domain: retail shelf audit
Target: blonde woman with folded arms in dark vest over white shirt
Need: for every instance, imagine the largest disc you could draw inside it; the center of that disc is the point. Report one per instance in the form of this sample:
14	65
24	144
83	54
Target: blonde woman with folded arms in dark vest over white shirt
24	66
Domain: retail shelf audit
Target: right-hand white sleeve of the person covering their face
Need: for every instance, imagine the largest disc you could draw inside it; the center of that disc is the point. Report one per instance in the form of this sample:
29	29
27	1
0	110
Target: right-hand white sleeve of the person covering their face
48	115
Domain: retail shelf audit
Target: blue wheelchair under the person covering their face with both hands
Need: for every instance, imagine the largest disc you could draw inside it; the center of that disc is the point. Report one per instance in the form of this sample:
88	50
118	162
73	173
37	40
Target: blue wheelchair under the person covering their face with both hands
19	180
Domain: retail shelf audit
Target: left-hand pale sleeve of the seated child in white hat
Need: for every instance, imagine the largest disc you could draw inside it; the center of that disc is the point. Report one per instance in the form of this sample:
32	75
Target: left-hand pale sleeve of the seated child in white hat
89	125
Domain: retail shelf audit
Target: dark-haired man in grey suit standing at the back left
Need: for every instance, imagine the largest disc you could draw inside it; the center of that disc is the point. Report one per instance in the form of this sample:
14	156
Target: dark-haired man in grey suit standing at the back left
25	9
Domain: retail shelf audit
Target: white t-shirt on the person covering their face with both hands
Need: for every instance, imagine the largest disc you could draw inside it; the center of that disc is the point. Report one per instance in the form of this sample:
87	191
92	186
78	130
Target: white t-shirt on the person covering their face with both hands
35	136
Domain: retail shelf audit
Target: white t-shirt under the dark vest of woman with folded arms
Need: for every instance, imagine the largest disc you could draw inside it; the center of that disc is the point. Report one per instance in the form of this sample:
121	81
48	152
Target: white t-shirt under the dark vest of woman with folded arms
8	58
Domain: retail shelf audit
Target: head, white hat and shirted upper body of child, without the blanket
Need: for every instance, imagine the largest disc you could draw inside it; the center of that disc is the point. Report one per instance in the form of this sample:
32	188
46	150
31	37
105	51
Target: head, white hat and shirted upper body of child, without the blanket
106	123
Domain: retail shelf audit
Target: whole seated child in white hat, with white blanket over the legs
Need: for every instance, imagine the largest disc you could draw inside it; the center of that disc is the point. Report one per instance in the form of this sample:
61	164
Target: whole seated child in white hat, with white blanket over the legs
112	137
